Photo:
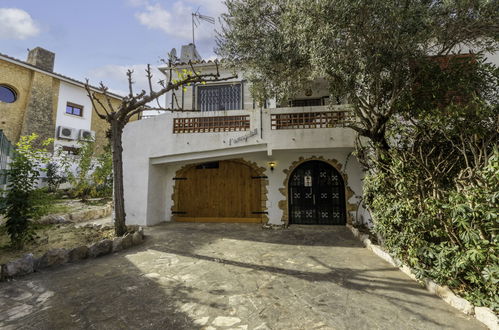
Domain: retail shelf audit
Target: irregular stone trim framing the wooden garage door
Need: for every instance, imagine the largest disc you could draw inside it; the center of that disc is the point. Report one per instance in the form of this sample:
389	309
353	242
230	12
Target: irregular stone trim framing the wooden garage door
259	171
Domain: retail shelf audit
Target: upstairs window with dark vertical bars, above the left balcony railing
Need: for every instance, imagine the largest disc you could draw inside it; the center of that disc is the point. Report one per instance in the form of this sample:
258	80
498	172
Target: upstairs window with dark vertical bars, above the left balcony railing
219	97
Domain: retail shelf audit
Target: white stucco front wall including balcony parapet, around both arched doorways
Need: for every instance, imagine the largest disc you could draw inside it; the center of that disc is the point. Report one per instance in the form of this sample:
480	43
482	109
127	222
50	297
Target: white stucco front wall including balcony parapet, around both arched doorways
153	155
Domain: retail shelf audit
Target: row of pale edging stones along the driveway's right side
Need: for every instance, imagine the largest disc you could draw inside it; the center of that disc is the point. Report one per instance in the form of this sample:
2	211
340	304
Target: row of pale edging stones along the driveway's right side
482	314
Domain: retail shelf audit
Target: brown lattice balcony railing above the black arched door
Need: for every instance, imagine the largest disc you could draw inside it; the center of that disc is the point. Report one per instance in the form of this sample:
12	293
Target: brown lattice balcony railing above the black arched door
309	119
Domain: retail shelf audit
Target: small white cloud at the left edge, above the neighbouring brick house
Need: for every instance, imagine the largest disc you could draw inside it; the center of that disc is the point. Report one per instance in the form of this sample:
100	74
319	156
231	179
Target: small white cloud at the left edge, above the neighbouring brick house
17	24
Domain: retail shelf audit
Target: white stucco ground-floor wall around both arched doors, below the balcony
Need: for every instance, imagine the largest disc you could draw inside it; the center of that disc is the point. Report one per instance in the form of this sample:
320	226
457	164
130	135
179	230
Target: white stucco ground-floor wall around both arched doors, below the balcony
149	190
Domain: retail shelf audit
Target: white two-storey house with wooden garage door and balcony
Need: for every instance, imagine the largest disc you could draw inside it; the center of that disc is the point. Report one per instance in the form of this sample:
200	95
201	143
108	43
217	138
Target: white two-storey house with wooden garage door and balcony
233	161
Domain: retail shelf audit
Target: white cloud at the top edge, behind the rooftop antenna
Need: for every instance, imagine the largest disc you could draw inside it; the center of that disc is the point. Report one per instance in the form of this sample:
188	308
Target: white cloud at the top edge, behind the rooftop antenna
175	20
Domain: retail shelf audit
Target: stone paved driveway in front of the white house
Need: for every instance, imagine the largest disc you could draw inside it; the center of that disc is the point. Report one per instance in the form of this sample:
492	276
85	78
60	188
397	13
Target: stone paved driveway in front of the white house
220	276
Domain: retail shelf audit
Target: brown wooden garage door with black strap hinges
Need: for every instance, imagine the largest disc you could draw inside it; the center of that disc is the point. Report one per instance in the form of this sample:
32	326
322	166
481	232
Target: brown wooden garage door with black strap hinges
225	191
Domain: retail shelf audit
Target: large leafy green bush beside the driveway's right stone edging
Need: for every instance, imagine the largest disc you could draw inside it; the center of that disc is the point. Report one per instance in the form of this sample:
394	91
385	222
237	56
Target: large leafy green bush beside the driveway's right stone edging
449	236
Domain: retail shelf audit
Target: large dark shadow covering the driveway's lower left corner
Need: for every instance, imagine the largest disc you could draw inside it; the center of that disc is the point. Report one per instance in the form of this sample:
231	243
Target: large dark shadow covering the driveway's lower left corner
105	293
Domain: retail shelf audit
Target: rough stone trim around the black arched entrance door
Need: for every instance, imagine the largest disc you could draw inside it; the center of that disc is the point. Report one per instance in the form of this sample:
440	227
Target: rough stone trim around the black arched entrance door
283	204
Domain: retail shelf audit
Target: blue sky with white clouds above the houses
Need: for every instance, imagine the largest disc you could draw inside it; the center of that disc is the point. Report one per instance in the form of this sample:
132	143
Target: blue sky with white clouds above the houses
101	39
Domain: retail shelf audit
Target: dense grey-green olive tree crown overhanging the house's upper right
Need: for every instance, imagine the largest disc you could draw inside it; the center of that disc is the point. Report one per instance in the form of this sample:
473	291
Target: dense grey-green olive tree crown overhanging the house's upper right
366	50
